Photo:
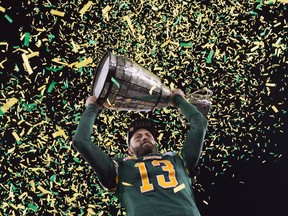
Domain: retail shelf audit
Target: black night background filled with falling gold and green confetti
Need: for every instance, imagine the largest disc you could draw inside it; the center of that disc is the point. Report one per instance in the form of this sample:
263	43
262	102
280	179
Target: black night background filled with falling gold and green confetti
243	164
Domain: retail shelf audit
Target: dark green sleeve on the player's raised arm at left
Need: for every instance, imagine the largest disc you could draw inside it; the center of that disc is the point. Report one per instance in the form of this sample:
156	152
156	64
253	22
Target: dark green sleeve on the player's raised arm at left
101	163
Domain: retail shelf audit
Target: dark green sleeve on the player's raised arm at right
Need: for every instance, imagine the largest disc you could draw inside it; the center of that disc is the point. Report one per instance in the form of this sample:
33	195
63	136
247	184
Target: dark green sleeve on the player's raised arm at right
193	143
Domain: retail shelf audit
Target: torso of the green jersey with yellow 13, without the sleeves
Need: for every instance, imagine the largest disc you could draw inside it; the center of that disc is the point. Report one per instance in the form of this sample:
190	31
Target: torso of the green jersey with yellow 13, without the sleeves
155	185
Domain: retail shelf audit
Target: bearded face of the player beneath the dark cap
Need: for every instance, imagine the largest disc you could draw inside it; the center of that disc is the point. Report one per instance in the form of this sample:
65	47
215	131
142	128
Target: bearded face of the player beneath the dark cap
142	143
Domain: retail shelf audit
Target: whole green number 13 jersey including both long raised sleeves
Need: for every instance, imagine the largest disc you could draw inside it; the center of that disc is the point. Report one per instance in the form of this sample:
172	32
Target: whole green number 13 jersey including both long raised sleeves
154	184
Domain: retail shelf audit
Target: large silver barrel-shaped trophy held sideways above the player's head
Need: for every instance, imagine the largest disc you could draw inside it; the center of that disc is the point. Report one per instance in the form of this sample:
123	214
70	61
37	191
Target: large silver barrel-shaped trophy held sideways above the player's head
121	84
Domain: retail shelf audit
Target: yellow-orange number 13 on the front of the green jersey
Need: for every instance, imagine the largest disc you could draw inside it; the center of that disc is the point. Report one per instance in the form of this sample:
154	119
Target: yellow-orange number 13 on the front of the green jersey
167	166
